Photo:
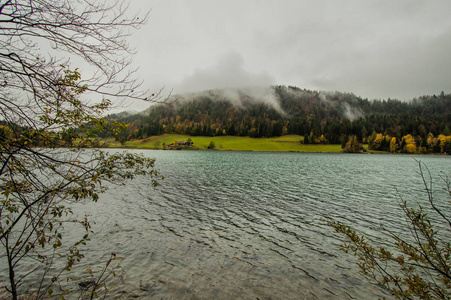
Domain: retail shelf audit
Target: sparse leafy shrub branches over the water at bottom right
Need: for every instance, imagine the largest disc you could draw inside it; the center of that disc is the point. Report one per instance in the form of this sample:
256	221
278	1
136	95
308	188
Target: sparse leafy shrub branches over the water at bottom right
416	265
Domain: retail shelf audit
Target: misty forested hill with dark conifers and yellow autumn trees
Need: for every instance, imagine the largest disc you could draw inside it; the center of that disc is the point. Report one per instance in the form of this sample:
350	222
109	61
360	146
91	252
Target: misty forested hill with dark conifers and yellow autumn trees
321	117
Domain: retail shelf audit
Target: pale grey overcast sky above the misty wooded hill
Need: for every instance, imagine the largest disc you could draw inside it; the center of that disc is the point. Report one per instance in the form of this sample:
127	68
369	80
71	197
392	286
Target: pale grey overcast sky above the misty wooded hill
374	49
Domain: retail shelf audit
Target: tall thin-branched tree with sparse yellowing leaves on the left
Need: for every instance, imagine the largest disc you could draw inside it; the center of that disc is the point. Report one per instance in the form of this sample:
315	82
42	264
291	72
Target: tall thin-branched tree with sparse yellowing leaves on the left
42	99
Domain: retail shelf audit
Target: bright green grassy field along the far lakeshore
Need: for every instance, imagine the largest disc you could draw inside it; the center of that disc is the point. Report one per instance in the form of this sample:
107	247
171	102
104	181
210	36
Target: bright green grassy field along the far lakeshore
235	143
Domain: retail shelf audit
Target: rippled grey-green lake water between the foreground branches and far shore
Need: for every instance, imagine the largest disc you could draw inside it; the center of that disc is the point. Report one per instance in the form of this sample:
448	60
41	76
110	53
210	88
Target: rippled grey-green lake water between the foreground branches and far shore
249	225
